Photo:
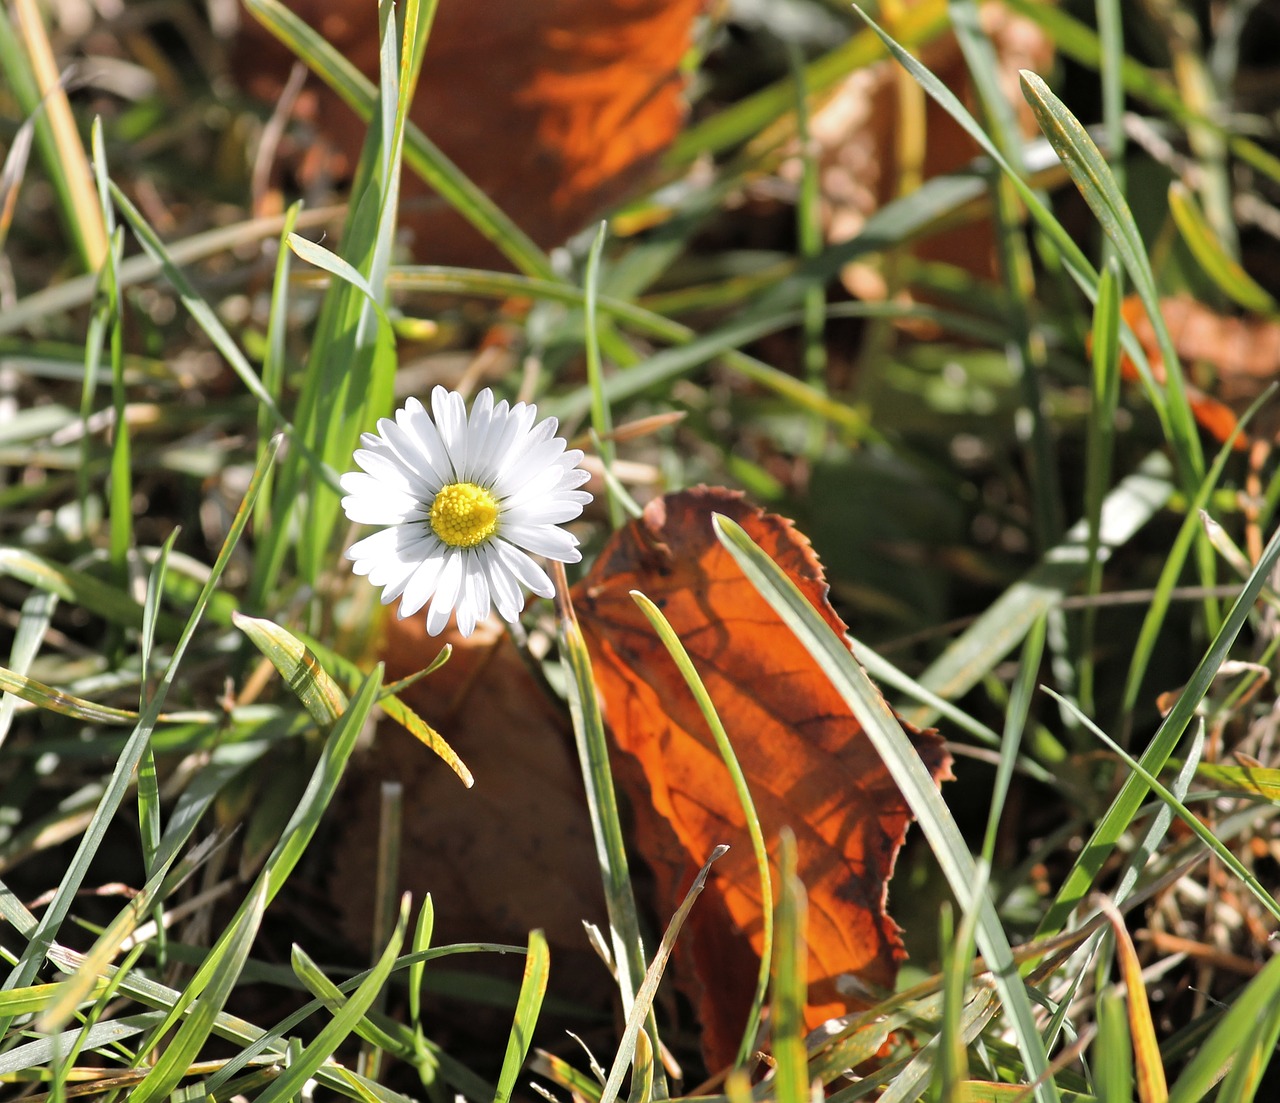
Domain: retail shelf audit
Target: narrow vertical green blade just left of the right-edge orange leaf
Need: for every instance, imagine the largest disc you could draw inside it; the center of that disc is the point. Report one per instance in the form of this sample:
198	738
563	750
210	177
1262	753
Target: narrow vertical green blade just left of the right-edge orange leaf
1099	451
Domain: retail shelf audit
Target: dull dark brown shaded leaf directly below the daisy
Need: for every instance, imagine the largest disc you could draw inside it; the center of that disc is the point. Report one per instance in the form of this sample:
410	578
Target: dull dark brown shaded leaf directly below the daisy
514	853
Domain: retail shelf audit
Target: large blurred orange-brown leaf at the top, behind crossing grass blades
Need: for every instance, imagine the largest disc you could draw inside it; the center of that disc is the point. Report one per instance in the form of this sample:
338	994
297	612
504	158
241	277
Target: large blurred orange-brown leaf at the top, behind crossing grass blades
555	108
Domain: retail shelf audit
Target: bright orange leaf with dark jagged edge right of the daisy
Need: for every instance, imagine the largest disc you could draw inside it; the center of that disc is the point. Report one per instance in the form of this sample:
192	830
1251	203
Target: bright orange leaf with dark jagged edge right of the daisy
806	758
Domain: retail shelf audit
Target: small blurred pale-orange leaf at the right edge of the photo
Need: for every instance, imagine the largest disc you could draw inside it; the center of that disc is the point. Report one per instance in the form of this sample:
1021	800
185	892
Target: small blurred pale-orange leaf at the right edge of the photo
1245	355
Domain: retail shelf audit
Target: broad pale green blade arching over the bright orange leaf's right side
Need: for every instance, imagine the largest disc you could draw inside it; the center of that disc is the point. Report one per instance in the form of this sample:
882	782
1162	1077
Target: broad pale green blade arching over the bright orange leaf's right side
913	780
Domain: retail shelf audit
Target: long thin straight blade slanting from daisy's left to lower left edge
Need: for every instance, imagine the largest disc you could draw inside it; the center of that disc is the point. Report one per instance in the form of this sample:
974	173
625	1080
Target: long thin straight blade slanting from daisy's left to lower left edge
42	940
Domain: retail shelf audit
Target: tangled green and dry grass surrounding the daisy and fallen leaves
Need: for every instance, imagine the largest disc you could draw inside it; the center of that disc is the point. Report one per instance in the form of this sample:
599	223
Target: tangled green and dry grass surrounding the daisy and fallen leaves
1036	525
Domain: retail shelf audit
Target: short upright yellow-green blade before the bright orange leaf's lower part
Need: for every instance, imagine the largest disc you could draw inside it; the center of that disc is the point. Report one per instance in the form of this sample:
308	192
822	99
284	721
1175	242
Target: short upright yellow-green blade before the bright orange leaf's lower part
790	980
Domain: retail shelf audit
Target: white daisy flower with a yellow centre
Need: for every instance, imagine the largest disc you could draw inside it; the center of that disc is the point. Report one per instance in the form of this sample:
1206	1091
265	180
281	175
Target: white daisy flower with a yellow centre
467	502
